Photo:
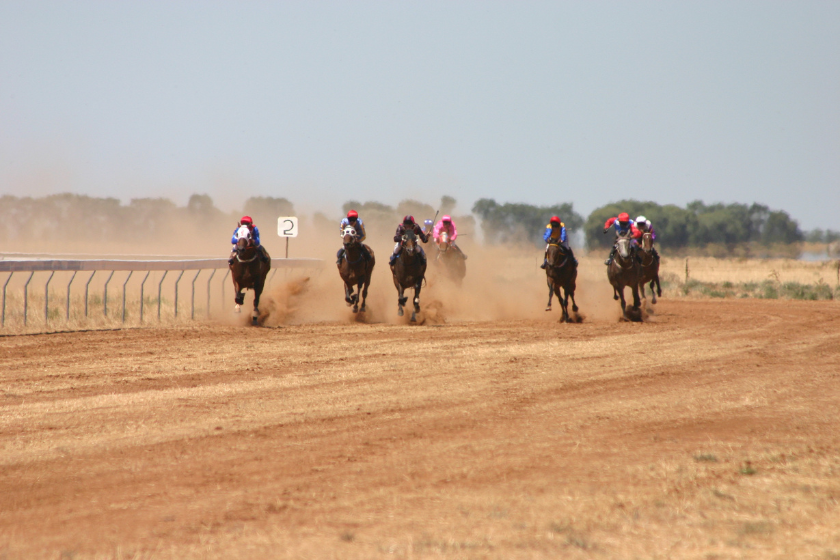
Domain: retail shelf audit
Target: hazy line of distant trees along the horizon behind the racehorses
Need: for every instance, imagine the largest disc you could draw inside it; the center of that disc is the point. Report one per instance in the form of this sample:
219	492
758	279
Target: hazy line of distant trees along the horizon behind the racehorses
71	216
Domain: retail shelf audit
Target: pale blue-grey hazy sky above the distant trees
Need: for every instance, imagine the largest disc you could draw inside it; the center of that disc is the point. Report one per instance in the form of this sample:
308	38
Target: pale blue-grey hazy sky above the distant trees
321	102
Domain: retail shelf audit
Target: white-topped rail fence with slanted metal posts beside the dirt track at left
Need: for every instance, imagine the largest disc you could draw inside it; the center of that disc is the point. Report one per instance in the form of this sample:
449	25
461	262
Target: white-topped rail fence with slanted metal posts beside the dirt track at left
130	266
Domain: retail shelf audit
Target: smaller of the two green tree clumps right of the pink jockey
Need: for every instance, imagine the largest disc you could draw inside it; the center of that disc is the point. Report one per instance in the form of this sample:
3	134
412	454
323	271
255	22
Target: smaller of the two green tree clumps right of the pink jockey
521	223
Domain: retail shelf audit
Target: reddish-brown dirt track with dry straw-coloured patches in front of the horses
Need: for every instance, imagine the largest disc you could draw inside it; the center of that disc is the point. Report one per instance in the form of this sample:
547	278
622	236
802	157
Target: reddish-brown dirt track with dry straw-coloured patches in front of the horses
712	432
